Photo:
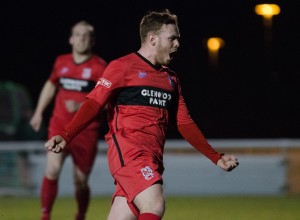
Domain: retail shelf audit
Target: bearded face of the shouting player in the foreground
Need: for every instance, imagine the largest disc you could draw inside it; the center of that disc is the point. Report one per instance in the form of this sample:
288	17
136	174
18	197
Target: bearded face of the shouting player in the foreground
167	44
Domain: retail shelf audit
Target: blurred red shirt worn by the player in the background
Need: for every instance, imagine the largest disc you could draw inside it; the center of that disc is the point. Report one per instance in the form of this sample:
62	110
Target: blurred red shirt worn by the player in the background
74	82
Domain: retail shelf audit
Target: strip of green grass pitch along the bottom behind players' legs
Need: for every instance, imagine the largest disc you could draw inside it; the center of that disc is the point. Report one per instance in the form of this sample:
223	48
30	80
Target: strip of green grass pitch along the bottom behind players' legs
178	208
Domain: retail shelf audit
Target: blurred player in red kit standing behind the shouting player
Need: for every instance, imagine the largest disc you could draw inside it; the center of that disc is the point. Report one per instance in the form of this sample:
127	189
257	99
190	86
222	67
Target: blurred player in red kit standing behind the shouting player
72	77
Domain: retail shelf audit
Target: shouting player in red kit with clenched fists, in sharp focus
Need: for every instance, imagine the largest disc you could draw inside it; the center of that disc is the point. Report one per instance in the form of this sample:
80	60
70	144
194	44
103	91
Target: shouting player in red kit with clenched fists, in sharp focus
143	96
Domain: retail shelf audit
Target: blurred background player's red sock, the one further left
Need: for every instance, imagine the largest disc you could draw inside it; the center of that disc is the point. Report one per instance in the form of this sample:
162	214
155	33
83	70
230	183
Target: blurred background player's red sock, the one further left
48	192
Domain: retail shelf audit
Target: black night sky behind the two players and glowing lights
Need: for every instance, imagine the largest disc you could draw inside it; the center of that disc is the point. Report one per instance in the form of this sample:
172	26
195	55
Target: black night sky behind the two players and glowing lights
254	92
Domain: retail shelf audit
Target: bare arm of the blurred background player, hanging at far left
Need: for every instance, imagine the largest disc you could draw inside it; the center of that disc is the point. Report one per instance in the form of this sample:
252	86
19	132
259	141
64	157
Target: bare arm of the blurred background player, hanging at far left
46	96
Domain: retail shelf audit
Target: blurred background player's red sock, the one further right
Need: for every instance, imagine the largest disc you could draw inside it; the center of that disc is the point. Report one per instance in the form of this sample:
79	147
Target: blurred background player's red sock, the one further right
83	199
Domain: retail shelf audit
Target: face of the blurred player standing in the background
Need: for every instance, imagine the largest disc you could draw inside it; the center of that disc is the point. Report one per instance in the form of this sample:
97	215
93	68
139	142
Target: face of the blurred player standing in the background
81	40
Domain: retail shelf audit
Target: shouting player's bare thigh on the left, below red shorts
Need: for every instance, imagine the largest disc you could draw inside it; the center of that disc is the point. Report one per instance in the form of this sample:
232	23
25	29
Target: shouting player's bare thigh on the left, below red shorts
120	210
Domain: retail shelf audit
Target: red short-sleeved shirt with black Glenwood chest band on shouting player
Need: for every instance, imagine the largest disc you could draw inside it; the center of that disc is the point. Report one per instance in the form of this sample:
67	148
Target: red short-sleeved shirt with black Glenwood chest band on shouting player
142	98
